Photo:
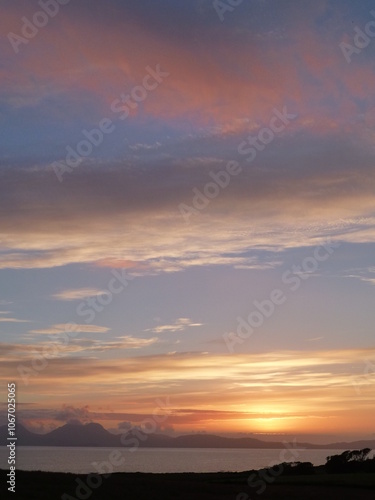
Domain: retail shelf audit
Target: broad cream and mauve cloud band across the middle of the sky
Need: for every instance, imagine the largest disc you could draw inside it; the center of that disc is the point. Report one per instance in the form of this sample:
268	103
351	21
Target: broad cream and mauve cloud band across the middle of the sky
166	245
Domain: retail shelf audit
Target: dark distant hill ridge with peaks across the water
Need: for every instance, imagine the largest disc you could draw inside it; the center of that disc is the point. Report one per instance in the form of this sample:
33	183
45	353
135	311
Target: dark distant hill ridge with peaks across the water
95	435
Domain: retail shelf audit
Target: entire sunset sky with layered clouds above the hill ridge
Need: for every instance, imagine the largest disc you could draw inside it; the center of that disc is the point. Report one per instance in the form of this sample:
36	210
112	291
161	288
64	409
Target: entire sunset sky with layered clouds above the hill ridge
187	215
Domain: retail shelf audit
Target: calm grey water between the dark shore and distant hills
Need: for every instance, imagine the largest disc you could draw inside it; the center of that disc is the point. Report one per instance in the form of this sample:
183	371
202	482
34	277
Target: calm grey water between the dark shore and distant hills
79	460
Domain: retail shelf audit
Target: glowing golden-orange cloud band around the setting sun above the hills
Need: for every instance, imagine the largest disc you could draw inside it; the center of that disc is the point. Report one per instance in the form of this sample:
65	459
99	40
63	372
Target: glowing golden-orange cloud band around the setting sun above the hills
304	391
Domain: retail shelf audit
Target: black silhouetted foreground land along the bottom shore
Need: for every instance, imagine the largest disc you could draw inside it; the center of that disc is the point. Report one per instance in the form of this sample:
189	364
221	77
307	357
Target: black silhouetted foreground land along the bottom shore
220	486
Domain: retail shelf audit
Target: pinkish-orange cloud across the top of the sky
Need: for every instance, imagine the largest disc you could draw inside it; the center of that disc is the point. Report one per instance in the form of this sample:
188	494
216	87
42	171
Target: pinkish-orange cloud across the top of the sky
246	81
